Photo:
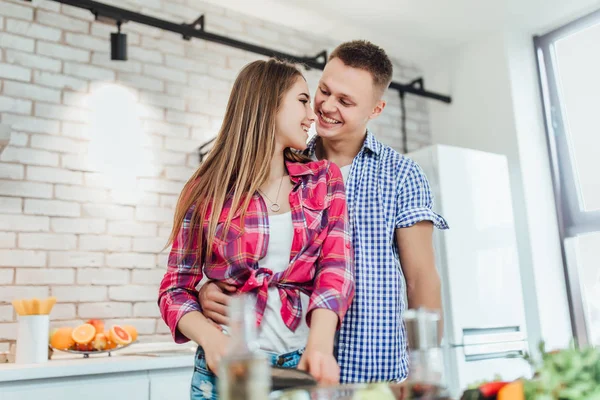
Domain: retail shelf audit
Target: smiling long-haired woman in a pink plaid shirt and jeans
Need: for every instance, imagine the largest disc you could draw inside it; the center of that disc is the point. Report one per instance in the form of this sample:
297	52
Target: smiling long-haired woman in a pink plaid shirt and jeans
260	217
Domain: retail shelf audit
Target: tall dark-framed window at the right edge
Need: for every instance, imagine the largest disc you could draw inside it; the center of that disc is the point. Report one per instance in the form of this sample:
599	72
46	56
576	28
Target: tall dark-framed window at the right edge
569	67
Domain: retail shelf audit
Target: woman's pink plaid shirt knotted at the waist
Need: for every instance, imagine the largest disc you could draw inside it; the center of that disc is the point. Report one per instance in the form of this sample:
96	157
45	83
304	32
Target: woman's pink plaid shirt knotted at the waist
321	259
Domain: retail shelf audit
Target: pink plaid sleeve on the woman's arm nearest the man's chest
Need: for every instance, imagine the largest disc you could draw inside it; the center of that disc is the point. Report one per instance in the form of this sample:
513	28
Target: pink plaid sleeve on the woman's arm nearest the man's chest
334	277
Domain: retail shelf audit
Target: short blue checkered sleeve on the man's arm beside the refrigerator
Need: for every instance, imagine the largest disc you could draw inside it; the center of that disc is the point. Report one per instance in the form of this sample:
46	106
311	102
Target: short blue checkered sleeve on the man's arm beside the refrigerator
415	200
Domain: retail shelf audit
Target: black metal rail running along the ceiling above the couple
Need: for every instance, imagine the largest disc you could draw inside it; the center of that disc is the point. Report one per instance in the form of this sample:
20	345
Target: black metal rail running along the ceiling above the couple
107	13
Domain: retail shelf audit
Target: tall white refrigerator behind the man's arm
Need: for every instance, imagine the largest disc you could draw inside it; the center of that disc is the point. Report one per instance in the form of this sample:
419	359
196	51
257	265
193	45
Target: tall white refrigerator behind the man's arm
484	317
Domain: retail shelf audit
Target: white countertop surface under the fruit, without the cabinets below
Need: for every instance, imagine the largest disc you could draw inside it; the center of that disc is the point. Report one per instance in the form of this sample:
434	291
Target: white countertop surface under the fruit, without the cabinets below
137	357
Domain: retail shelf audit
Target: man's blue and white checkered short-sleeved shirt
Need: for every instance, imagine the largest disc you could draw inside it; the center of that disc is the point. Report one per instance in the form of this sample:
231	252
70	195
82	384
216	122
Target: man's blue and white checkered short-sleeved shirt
385	191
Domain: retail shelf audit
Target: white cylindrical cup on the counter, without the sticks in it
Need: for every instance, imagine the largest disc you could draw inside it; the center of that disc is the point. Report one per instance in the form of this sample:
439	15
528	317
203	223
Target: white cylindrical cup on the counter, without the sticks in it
32	339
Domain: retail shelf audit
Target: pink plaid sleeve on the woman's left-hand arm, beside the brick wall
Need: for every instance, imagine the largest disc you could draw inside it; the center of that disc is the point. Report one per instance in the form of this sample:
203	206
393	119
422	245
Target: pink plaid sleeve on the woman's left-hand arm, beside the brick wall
177	294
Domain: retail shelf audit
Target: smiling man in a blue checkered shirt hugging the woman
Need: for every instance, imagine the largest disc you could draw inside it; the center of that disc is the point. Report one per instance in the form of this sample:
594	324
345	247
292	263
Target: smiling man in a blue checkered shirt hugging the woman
390	212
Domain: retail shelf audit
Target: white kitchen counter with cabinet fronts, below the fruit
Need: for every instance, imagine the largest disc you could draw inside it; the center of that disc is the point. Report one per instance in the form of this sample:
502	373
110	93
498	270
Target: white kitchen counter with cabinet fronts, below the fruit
139	372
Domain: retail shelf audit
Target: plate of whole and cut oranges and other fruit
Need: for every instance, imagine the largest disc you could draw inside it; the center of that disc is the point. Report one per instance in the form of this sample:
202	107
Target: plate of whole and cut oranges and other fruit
92	338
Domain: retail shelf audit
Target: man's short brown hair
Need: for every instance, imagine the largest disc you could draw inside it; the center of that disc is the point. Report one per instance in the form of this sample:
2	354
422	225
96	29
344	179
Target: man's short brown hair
367	56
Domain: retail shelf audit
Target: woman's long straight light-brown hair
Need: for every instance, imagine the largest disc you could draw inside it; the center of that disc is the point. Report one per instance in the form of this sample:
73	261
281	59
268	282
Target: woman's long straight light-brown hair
240	159
